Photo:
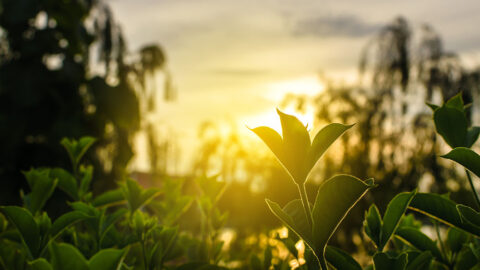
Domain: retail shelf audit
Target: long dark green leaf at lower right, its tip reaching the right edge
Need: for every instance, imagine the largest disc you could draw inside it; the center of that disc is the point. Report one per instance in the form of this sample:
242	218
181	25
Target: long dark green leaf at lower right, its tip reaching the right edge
441	209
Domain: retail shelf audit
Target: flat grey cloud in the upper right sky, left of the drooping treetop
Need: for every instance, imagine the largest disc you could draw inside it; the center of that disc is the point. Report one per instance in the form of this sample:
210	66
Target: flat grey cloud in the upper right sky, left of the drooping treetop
335	26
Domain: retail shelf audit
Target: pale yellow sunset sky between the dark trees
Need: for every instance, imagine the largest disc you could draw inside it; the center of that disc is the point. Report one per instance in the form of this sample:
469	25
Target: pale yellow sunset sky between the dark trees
233	61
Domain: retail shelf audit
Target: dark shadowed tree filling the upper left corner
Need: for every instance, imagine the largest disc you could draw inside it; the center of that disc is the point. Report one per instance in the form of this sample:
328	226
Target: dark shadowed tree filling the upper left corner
64	73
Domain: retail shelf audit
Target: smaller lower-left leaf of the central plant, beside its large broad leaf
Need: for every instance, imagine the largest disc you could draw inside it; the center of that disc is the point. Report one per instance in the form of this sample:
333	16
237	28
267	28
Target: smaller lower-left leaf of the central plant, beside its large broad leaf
294	219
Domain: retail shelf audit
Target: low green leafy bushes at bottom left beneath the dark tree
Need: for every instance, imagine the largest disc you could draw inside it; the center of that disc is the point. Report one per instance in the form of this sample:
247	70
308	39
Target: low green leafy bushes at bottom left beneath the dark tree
113	230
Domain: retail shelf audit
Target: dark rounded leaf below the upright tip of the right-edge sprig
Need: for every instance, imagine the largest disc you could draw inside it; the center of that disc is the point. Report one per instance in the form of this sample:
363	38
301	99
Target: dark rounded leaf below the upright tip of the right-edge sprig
452	124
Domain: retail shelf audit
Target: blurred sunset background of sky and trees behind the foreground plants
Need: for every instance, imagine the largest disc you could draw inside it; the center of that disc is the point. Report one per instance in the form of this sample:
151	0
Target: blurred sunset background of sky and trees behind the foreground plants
168	88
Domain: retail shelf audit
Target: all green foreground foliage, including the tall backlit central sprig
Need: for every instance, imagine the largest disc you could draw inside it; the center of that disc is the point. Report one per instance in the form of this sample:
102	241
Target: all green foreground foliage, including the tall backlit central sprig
135	228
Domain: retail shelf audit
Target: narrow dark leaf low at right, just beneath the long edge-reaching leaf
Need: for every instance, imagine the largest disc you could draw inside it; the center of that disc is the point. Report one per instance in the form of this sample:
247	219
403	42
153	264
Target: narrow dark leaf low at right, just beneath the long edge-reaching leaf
420	241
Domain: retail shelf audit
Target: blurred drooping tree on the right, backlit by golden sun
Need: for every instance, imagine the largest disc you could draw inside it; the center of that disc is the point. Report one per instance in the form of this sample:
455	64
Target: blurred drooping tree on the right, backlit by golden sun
394	139
